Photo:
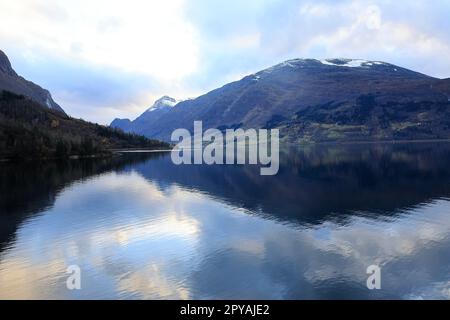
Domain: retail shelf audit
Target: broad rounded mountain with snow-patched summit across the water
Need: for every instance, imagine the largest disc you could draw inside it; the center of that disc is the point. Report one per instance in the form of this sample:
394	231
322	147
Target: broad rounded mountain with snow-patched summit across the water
318	100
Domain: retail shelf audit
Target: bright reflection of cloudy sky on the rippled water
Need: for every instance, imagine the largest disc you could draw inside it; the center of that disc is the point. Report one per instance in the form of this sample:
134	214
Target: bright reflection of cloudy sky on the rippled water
134	239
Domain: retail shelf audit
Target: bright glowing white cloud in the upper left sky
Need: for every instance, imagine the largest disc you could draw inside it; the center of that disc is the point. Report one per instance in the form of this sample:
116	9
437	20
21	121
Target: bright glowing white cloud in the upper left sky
150	37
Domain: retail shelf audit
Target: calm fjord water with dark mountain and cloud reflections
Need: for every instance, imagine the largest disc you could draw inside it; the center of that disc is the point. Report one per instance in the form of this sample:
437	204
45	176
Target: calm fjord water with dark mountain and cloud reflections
140	227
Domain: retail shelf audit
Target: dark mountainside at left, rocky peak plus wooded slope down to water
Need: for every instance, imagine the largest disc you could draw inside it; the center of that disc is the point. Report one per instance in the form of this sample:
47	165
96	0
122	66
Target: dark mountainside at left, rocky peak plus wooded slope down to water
30	129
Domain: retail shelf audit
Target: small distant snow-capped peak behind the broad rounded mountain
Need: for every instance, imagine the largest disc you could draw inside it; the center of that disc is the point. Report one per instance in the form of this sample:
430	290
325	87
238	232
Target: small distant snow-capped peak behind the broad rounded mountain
149	118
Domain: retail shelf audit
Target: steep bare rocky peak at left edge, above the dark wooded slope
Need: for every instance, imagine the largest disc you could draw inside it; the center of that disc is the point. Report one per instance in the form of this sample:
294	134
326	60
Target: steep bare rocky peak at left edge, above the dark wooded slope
12	82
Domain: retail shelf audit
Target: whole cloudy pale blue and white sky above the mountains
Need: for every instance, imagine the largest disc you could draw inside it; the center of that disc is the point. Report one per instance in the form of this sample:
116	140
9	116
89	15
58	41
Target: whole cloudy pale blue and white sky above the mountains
103	59
